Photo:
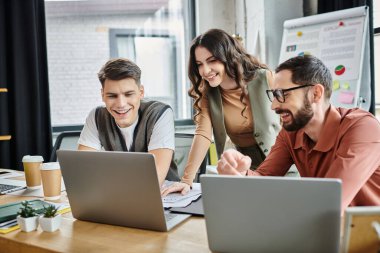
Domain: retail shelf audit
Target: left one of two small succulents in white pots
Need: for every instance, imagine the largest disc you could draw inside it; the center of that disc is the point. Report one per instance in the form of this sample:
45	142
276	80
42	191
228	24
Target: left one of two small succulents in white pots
27	217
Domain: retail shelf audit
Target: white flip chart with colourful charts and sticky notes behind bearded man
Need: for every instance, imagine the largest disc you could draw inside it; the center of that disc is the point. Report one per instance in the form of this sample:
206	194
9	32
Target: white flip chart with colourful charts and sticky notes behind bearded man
340	40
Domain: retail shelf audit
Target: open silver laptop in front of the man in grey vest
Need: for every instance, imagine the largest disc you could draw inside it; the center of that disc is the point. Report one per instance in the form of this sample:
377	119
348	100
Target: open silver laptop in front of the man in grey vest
116	188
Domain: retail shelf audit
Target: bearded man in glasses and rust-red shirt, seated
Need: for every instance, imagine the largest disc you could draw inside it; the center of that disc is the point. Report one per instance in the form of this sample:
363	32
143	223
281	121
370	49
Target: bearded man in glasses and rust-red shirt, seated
321	140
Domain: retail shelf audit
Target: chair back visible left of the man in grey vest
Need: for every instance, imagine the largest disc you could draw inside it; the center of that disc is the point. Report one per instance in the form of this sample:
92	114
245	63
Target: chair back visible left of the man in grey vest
65	140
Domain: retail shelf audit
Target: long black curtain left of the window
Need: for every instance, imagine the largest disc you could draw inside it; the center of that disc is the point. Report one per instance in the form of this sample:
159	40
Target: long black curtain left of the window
24	109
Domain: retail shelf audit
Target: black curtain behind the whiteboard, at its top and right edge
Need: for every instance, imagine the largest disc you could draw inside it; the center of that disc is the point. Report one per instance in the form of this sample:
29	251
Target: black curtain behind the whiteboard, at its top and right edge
335	5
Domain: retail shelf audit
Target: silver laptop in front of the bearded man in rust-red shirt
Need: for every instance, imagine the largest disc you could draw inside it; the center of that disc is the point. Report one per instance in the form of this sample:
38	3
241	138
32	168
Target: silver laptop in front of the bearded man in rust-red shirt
271	214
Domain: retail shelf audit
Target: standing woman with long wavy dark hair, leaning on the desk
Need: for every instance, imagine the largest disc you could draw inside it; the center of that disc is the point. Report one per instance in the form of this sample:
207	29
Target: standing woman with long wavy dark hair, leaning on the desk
228	88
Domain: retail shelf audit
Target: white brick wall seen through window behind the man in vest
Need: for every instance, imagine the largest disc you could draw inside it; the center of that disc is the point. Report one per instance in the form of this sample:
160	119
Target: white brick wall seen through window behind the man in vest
77	47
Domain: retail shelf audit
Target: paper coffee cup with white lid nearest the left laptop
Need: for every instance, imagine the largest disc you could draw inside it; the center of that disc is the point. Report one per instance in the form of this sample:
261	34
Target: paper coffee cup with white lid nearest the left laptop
51	180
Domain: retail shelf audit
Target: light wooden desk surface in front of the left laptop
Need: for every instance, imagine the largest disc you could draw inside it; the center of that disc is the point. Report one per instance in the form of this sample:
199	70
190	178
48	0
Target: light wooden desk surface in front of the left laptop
81	236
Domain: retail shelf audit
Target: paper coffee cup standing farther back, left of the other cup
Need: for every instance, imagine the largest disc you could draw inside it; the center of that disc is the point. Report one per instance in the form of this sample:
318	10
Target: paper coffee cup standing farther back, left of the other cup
32	171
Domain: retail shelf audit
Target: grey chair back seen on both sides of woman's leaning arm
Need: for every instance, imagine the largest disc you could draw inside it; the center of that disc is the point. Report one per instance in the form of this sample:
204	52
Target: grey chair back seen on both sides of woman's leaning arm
183	143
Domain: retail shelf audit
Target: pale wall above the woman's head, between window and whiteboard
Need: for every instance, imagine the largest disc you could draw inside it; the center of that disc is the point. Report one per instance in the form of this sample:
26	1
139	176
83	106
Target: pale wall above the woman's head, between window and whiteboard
259	22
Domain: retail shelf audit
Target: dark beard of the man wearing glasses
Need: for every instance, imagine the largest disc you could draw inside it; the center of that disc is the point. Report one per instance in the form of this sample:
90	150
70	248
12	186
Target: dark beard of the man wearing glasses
301	118
